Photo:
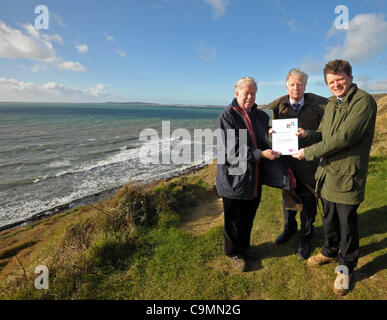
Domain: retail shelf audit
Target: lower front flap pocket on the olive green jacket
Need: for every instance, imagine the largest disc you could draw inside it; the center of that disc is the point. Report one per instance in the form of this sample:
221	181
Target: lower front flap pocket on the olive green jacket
340	179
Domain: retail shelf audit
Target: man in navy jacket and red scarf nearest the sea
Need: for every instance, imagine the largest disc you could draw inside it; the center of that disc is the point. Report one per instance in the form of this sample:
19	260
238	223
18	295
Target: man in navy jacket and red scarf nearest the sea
244	131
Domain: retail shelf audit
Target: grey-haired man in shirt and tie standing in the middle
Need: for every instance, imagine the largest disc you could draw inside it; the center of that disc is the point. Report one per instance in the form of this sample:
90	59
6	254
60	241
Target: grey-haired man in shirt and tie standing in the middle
308	108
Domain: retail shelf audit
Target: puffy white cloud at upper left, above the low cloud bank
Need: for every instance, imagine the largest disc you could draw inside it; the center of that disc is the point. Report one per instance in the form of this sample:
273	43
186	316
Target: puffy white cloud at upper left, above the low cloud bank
32	45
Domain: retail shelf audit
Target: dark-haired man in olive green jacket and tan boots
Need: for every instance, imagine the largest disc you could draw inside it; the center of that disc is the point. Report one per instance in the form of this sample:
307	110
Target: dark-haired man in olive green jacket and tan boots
342	143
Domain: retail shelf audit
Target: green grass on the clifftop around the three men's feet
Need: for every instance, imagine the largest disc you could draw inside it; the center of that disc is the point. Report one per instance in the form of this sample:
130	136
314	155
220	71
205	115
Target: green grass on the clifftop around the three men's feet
157	260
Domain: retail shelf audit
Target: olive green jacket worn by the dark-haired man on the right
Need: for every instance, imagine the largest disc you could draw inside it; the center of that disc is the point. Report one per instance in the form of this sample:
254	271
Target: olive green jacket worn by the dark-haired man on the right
345	136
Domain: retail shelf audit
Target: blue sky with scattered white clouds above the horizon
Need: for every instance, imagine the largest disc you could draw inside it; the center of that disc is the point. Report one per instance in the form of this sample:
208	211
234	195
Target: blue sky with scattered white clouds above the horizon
183	51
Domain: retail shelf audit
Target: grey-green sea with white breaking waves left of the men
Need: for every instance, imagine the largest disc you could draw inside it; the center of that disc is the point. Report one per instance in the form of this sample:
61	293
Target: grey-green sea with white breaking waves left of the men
55	156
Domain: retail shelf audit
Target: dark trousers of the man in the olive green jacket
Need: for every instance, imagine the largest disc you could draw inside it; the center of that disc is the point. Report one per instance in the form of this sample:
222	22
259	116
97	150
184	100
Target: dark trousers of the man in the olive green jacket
341	233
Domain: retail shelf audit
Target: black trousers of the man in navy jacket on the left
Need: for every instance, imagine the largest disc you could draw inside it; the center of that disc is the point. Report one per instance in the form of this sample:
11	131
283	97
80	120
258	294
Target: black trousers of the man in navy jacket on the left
238	222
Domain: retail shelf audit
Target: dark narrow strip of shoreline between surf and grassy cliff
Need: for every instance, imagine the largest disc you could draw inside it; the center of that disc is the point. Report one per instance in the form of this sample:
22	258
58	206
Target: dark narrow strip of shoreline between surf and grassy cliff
92	198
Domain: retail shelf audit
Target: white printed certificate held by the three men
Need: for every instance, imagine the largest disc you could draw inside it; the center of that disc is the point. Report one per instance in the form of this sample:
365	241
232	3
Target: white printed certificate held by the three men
285	140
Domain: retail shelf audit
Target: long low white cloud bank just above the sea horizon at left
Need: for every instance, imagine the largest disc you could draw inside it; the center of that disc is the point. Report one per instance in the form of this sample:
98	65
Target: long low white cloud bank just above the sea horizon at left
15	90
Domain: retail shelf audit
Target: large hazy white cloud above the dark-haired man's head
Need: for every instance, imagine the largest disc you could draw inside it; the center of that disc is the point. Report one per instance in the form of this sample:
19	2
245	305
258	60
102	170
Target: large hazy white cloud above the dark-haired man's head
363	40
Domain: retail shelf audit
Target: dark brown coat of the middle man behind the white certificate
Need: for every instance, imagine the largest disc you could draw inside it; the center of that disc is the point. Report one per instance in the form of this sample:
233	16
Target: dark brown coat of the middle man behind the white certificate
309	117
